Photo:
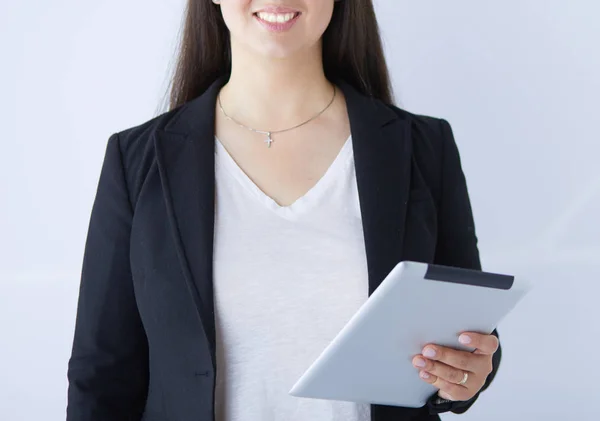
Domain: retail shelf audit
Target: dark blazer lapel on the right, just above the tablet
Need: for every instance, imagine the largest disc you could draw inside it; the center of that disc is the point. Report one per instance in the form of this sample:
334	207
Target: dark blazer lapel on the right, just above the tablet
382	156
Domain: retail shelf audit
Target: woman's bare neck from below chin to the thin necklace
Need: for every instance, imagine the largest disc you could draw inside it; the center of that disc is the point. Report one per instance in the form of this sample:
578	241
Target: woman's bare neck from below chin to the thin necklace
275	93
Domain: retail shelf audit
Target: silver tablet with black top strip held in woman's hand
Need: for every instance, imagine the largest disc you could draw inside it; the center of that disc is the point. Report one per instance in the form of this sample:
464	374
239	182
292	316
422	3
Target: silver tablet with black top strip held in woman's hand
370	360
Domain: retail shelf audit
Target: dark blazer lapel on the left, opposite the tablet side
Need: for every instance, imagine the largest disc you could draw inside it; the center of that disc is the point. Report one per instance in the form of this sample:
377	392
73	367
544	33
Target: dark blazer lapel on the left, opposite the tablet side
185	155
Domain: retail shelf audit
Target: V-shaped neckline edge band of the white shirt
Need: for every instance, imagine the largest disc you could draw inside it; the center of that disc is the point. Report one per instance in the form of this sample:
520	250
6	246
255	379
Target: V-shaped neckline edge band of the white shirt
304	202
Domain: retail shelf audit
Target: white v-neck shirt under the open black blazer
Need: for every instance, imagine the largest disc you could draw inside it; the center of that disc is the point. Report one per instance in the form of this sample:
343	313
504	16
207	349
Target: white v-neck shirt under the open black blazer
286	280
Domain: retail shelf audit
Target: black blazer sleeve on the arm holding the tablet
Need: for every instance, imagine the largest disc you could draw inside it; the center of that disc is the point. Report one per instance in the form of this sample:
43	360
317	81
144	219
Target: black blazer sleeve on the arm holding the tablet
457	242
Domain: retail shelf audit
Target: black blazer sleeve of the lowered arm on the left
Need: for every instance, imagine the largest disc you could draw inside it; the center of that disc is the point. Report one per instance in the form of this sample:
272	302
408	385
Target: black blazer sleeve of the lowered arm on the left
108	367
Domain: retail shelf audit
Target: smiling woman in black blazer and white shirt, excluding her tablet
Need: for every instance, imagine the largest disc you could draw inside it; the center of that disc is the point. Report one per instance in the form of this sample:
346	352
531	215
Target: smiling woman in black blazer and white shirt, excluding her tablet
234	235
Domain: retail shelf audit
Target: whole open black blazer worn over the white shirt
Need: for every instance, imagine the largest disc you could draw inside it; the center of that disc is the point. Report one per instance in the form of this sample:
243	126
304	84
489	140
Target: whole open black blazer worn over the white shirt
144	342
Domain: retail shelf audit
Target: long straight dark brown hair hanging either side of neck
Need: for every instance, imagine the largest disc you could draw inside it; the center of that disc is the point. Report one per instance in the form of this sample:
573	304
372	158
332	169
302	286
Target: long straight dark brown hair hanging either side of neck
352	51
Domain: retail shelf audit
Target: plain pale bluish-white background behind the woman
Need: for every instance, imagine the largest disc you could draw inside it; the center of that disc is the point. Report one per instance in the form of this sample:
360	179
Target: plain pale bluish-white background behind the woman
518	81
